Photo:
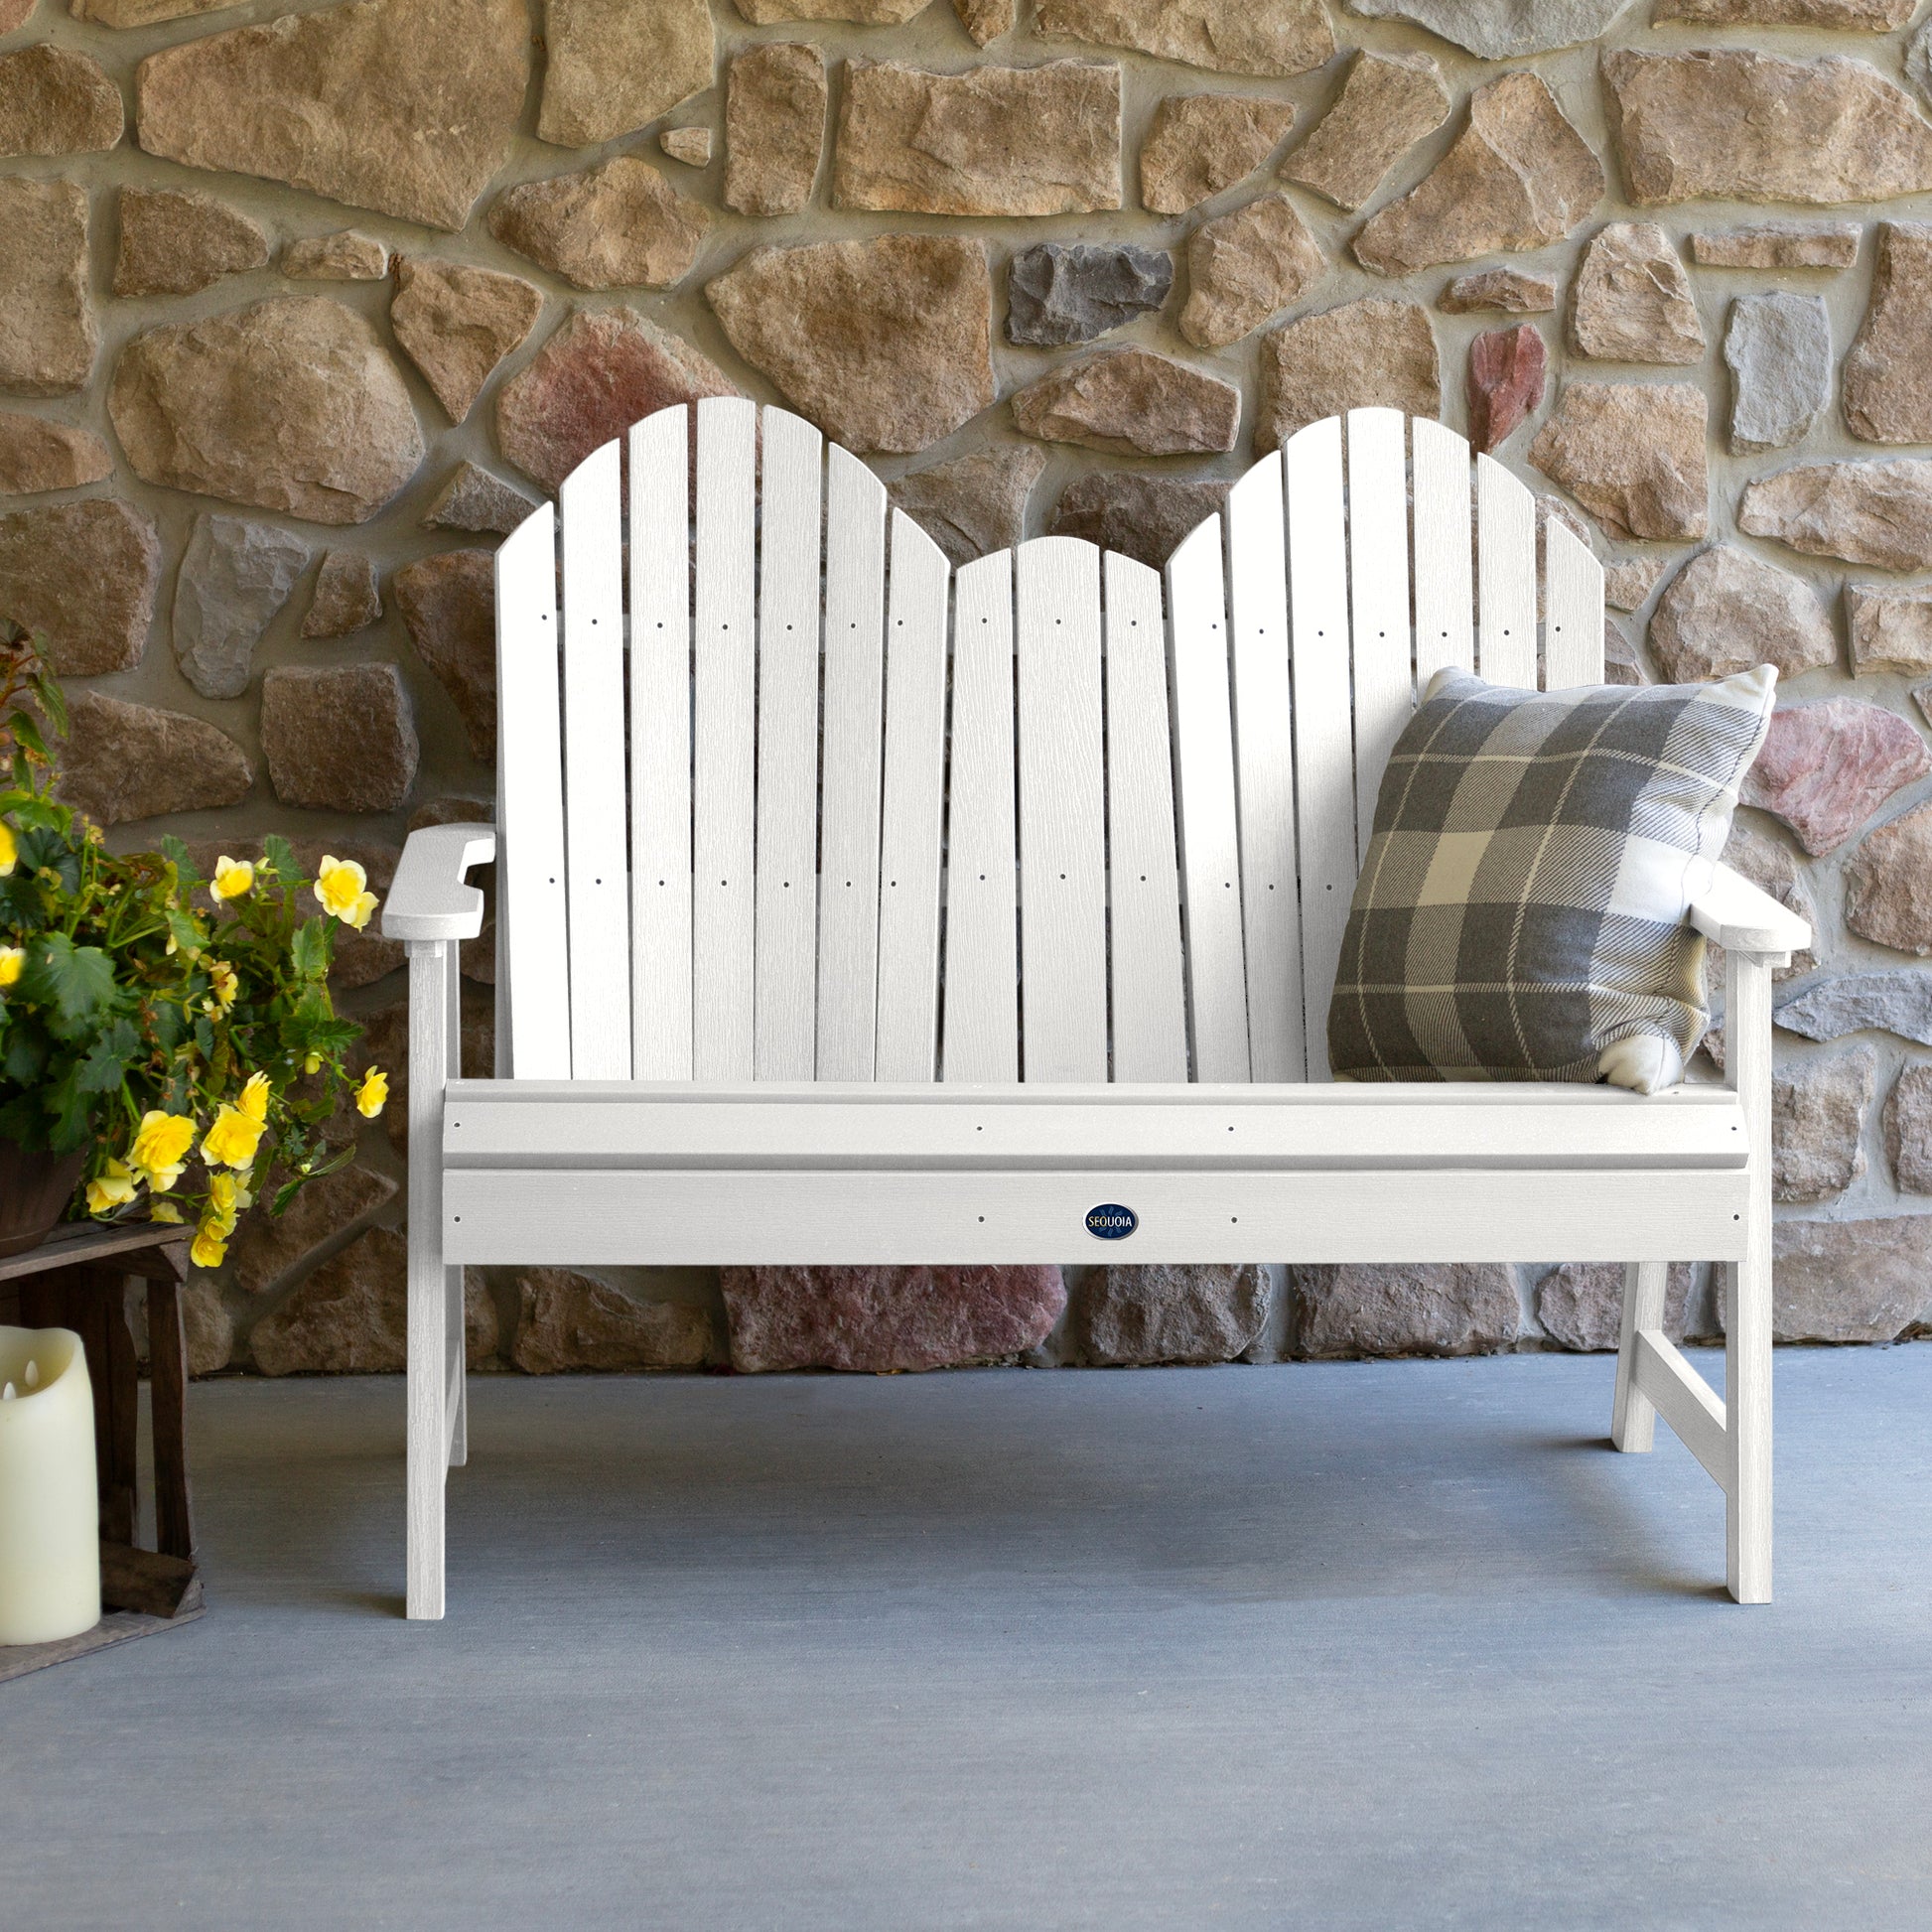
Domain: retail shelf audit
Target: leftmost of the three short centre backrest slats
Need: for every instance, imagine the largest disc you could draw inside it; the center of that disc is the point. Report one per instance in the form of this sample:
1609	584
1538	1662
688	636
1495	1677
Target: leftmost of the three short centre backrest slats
982	980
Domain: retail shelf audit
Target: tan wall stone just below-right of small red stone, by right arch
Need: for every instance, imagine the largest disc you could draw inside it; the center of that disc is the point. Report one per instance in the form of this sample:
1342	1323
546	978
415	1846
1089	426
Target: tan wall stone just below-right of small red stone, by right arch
1632	455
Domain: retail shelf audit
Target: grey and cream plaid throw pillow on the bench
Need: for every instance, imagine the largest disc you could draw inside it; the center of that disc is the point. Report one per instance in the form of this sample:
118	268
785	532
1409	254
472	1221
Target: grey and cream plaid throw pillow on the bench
1521	909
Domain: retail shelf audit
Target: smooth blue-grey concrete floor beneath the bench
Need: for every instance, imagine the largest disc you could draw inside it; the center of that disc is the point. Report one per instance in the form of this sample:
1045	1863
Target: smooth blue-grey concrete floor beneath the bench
1264	1647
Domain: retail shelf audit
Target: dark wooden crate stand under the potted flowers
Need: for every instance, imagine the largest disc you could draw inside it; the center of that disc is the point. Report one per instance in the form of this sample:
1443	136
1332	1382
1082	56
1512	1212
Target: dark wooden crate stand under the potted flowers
78	1280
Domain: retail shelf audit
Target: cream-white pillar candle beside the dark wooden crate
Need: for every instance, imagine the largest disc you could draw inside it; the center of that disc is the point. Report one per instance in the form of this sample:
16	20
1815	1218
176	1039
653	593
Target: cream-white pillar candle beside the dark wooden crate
49	1502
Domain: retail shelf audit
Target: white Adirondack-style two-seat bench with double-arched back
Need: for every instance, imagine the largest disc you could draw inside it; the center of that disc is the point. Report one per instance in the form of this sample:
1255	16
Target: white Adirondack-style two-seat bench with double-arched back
859	911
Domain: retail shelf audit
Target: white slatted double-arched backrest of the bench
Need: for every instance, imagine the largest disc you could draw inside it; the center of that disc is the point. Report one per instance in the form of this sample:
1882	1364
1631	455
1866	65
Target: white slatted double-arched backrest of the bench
781	797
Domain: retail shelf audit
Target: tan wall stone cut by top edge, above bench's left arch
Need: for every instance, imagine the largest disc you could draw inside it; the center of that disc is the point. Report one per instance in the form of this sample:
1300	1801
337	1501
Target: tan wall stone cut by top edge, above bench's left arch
615	65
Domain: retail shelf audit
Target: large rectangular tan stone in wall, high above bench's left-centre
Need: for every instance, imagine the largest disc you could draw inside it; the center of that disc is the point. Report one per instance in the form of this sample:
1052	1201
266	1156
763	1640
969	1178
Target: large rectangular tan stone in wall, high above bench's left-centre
986	142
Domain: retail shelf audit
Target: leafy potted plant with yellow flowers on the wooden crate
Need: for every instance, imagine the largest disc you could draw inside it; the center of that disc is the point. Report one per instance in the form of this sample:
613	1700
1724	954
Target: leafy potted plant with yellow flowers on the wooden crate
167	1042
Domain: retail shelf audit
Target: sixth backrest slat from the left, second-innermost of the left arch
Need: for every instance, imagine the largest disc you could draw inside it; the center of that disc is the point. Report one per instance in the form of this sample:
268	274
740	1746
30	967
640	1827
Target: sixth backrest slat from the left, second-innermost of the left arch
849	807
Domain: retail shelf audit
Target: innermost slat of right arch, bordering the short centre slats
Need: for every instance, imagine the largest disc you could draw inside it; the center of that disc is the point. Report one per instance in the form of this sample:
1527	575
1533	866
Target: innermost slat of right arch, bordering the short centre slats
1205	774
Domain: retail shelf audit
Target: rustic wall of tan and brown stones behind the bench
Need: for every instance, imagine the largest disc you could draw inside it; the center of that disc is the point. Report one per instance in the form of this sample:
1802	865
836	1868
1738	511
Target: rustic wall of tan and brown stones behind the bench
304	308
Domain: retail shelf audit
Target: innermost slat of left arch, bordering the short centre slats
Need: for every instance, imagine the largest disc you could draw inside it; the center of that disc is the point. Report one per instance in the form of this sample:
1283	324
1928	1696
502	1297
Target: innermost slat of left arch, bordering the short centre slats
915	807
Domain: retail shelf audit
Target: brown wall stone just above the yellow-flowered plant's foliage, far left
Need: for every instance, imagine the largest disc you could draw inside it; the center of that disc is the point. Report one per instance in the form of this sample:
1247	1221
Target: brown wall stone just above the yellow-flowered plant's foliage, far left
132	762
